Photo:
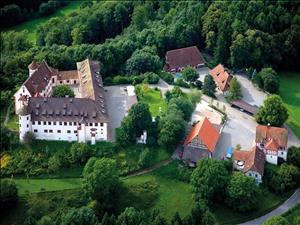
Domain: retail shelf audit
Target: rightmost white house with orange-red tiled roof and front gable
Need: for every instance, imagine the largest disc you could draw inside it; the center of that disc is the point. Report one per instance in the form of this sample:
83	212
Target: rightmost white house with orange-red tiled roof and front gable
273	141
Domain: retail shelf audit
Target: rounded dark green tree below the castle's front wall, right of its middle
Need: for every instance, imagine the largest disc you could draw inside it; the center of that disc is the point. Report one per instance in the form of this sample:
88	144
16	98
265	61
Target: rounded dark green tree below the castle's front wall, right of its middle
80	153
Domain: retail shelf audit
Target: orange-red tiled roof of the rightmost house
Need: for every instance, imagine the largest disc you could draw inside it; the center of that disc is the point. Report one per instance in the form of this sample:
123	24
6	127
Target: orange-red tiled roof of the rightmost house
267	133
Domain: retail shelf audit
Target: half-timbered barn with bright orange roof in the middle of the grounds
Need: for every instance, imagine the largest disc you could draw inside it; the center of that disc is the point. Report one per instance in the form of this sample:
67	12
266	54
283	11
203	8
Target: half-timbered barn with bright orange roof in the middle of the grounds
201	141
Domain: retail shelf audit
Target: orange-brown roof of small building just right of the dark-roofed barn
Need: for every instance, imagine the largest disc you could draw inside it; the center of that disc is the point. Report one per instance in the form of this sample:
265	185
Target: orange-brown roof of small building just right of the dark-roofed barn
221	76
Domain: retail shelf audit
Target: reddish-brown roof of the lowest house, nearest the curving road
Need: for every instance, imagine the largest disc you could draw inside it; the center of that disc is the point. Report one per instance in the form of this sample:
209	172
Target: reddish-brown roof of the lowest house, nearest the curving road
254	160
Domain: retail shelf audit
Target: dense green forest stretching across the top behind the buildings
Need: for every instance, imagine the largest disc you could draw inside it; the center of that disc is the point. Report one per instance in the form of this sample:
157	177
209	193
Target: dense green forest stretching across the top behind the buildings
127	36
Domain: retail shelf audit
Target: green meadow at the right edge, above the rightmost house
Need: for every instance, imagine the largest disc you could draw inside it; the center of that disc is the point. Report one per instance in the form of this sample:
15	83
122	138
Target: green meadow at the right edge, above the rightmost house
290	93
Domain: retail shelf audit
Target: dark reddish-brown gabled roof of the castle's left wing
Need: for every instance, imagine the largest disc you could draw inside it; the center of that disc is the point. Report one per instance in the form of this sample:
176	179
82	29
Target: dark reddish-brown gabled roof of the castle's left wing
40	78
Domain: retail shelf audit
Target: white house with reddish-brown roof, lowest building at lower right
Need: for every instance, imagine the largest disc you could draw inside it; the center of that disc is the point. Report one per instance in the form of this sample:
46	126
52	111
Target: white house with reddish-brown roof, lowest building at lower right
250	162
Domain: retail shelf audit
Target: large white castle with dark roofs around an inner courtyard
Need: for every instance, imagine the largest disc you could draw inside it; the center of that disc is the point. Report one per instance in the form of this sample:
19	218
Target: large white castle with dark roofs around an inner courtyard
83	118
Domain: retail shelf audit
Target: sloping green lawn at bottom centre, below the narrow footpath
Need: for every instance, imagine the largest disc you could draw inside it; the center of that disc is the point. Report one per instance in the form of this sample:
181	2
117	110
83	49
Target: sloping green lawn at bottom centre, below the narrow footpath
161	192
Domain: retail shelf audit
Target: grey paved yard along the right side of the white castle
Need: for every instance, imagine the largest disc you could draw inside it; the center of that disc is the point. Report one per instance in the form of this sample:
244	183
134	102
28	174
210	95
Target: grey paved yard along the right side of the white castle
118	104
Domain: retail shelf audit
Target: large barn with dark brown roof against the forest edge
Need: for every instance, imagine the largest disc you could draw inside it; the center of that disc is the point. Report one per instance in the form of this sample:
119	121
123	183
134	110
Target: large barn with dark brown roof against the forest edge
178	59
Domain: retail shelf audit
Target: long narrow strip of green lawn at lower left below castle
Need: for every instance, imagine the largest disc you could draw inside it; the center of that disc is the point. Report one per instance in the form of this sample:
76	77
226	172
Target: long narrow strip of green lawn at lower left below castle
44	185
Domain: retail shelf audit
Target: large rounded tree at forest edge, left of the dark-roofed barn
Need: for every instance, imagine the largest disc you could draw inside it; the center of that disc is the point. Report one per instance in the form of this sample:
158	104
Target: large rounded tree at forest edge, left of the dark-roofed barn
143	60
